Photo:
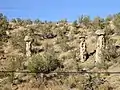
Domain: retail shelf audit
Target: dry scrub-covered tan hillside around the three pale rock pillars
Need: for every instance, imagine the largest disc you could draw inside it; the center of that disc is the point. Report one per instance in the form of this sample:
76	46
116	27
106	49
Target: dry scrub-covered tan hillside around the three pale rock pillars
60	49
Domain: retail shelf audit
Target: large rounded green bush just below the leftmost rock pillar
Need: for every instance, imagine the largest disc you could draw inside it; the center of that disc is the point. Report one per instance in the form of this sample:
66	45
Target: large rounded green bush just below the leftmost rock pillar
43	63
